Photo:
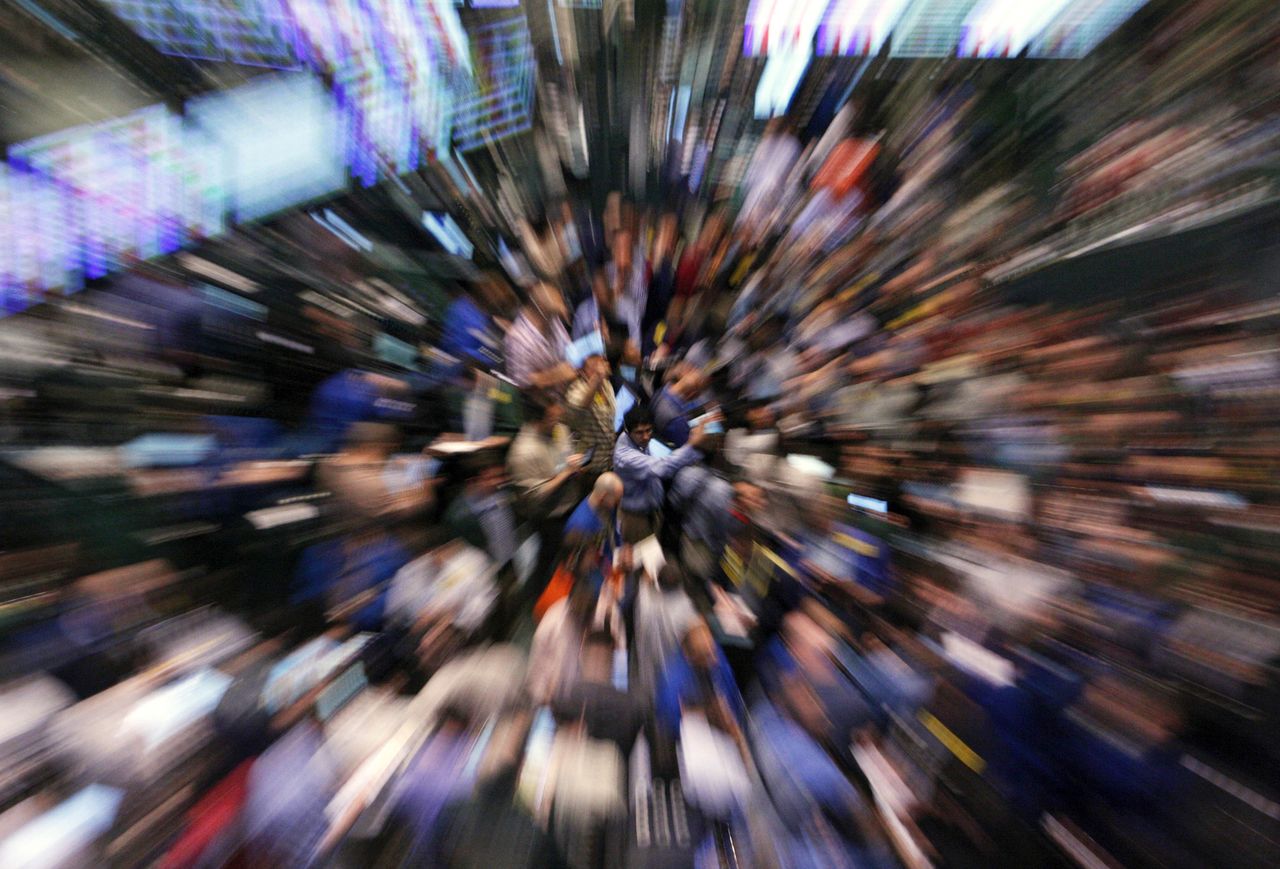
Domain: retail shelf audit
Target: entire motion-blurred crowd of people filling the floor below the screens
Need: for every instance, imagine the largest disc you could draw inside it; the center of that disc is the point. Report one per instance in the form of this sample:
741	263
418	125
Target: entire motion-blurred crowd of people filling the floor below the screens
851	513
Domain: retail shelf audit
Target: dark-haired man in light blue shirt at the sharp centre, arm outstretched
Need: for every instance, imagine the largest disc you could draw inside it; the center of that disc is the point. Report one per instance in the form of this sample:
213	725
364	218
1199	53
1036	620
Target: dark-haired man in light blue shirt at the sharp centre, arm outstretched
644	475
